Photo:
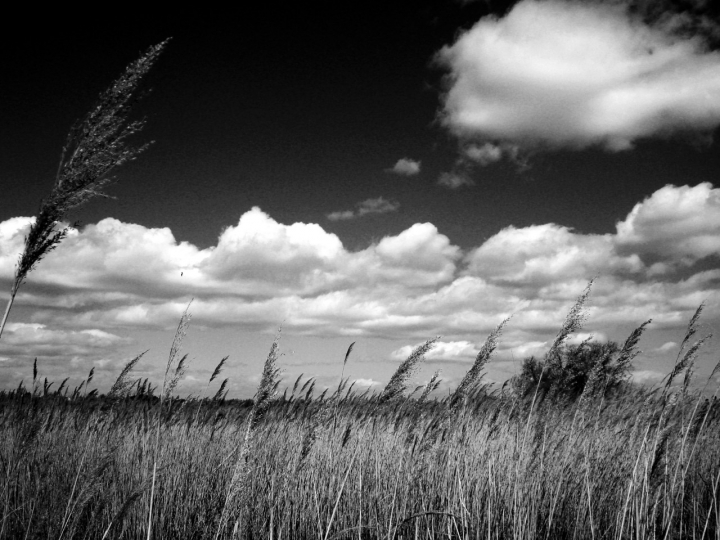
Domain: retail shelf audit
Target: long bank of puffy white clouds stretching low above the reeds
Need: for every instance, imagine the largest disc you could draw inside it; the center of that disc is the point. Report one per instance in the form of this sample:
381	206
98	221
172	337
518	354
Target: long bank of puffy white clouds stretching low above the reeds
661	262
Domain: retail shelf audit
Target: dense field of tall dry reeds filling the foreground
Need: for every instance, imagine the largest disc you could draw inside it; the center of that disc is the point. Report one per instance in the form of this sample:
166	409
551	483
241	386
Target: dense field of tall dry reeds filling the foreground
639	465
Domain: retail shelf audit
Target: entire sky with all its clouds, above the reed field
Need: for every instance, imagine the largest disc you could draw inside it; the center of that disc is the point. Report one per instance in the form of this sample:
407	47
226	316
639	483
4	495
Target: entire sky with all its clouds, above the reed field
378	173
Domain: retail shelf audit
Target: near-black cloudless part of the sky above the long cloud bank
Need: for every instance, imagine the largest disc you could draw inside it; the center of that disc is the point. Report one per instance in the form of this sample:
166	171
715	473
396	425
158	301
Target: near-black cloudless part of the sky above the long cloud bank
299	111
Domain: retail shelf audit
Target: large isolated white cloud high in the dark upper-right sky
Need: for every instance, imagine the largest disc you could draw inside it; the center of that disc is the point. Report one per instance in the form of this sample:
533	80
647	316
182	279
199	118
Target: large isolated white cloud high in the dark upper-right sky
573	74
